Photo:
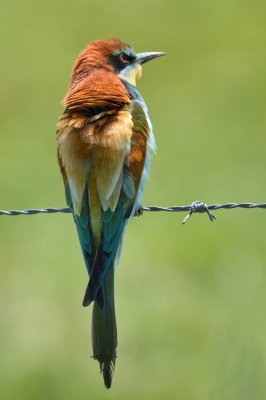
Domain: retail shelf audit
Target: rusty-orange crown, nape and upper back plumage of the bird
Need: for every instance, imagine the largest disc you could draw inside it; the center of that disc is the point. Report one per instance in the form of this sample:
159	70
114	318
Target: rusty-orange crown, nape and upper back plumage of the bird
94	83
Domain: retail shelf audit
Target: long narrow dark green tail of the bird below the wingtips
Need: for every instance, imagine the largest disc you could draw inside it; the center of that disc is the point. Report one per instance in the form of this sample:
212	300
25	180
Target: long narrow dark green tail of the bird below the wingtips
104	332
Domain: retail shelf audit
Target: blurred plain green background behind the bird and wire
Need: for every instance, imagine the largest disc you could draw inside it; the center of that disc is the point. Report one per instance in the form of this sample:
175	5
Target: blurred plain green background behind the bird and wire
190	299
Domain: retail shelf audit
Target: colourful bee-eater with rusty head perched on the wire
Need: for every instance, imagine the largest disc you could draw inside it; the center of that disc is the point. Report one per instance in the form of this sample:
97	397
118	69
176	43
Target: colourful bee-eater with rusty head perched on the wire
104	144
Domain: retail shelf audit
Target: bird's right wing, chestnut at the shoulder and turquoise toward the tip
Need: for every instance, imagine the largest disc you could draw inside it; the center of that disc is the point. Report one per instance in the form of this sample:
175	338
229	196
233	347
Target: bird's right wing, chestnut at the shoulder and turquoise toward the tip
114	221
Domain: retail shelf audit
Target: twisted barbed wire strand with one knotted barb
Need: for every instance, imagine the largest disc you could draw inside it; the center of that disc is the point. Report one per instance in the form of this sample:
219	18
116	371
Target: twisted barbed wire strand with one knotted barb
196	207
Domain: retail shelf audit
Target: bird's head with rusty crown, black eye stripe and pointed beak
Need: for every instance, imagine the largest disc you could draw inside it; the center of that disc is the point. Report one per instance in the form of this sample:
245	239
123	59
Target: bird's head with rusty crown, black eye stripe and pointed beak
115	56
